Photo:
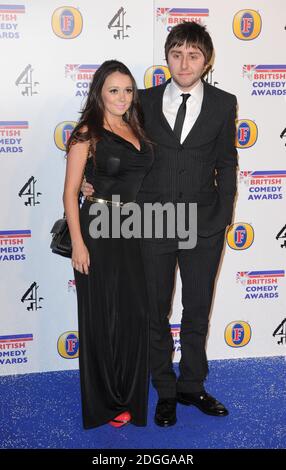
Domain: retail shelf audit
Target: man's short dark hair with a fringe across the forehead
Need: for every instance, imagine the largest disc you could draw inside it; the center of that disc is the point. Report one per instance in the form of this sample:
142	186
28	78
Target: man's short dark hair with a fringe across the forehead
192	34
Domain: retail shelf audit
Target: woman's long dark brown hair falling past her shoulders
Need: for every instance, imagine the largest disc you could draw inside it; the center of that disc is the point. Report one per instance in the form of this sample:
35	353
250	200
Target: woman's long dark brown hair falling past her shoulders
92	115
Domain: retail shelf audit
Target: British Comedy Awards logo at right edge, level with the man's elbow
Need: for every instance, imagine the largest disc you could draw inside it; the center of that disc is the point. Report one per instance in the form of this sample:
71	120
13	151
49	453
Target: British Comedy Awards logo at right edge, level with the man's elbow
264	184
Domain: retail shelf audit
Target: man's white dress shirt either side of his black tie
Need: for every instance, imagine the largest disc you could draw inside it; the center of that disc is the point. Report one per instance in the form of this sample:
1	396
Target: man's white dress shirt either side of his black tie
172	100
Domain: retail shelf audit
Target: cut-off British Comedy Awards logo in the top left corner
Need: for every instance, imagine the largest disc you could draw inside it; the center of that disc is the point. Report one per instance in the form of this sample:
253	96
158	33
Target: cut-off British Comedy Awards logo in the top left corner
10	20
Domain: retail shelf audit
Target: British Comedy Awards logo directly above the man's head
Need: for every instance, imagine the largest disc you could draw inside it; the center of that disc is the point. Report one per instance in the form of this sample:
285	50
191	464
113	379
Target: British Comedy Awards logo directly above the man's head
170	17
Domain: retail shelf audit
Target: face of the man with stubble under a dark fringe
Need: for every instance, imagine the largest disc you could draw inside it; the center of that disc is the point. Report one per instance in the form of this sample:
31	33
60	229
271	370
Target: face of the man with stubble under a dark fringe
186	65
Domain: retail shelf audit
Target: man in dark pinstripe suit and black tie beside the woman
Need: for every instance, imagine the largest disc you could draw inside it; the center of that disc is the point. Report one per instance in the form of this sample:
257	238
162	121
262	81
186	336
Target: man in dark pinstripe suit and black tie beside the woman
193	127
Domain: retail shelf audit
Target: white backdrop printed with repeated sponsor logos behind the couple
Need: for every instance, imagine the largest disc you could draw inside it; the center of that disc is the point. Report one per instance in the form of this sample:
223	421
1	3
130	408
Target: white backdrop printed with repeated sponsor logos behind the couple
49	53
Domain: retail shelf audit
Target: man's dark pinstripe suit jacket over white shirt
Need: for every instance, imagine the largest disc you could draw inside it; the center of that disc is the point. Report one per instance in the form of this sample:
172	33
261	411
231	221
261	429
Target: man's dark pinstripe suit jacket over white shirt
203	168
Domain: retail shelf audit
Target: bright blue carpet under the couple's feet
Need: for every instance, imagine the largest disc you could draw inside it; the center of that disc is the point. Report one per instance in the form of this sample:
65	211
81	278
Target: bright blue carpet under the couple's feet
43	411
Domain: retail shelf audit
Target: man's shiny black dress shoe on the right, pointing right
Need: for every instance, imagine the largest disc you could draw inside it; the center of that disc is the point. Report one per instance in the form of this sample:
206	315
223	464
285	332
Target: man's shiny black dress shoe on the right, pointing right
205	402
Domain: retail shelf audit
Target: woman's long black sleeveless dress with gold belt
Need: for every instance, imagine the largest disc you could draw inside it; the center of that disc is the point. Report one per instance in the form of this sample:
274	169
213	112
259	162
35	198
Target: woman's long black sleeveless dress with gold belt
112	298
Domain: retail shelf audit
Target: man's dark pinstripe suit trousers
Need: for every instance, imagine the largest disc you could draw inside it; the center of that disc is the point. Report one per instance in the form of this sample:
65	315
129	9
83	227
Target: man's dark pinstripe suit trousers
198	268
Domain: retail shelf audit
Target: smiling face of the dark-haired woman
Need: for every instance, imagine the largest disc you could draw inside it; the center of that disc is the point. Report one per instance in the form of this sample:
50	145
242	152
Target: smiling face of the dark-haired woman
117	94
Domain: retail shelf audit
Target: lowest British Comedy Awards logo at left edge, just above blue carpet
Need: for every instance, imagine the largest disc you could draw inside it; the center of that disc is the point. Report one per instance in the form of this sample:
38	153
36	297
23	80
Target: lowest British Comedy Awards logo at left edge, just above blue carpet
13	349
